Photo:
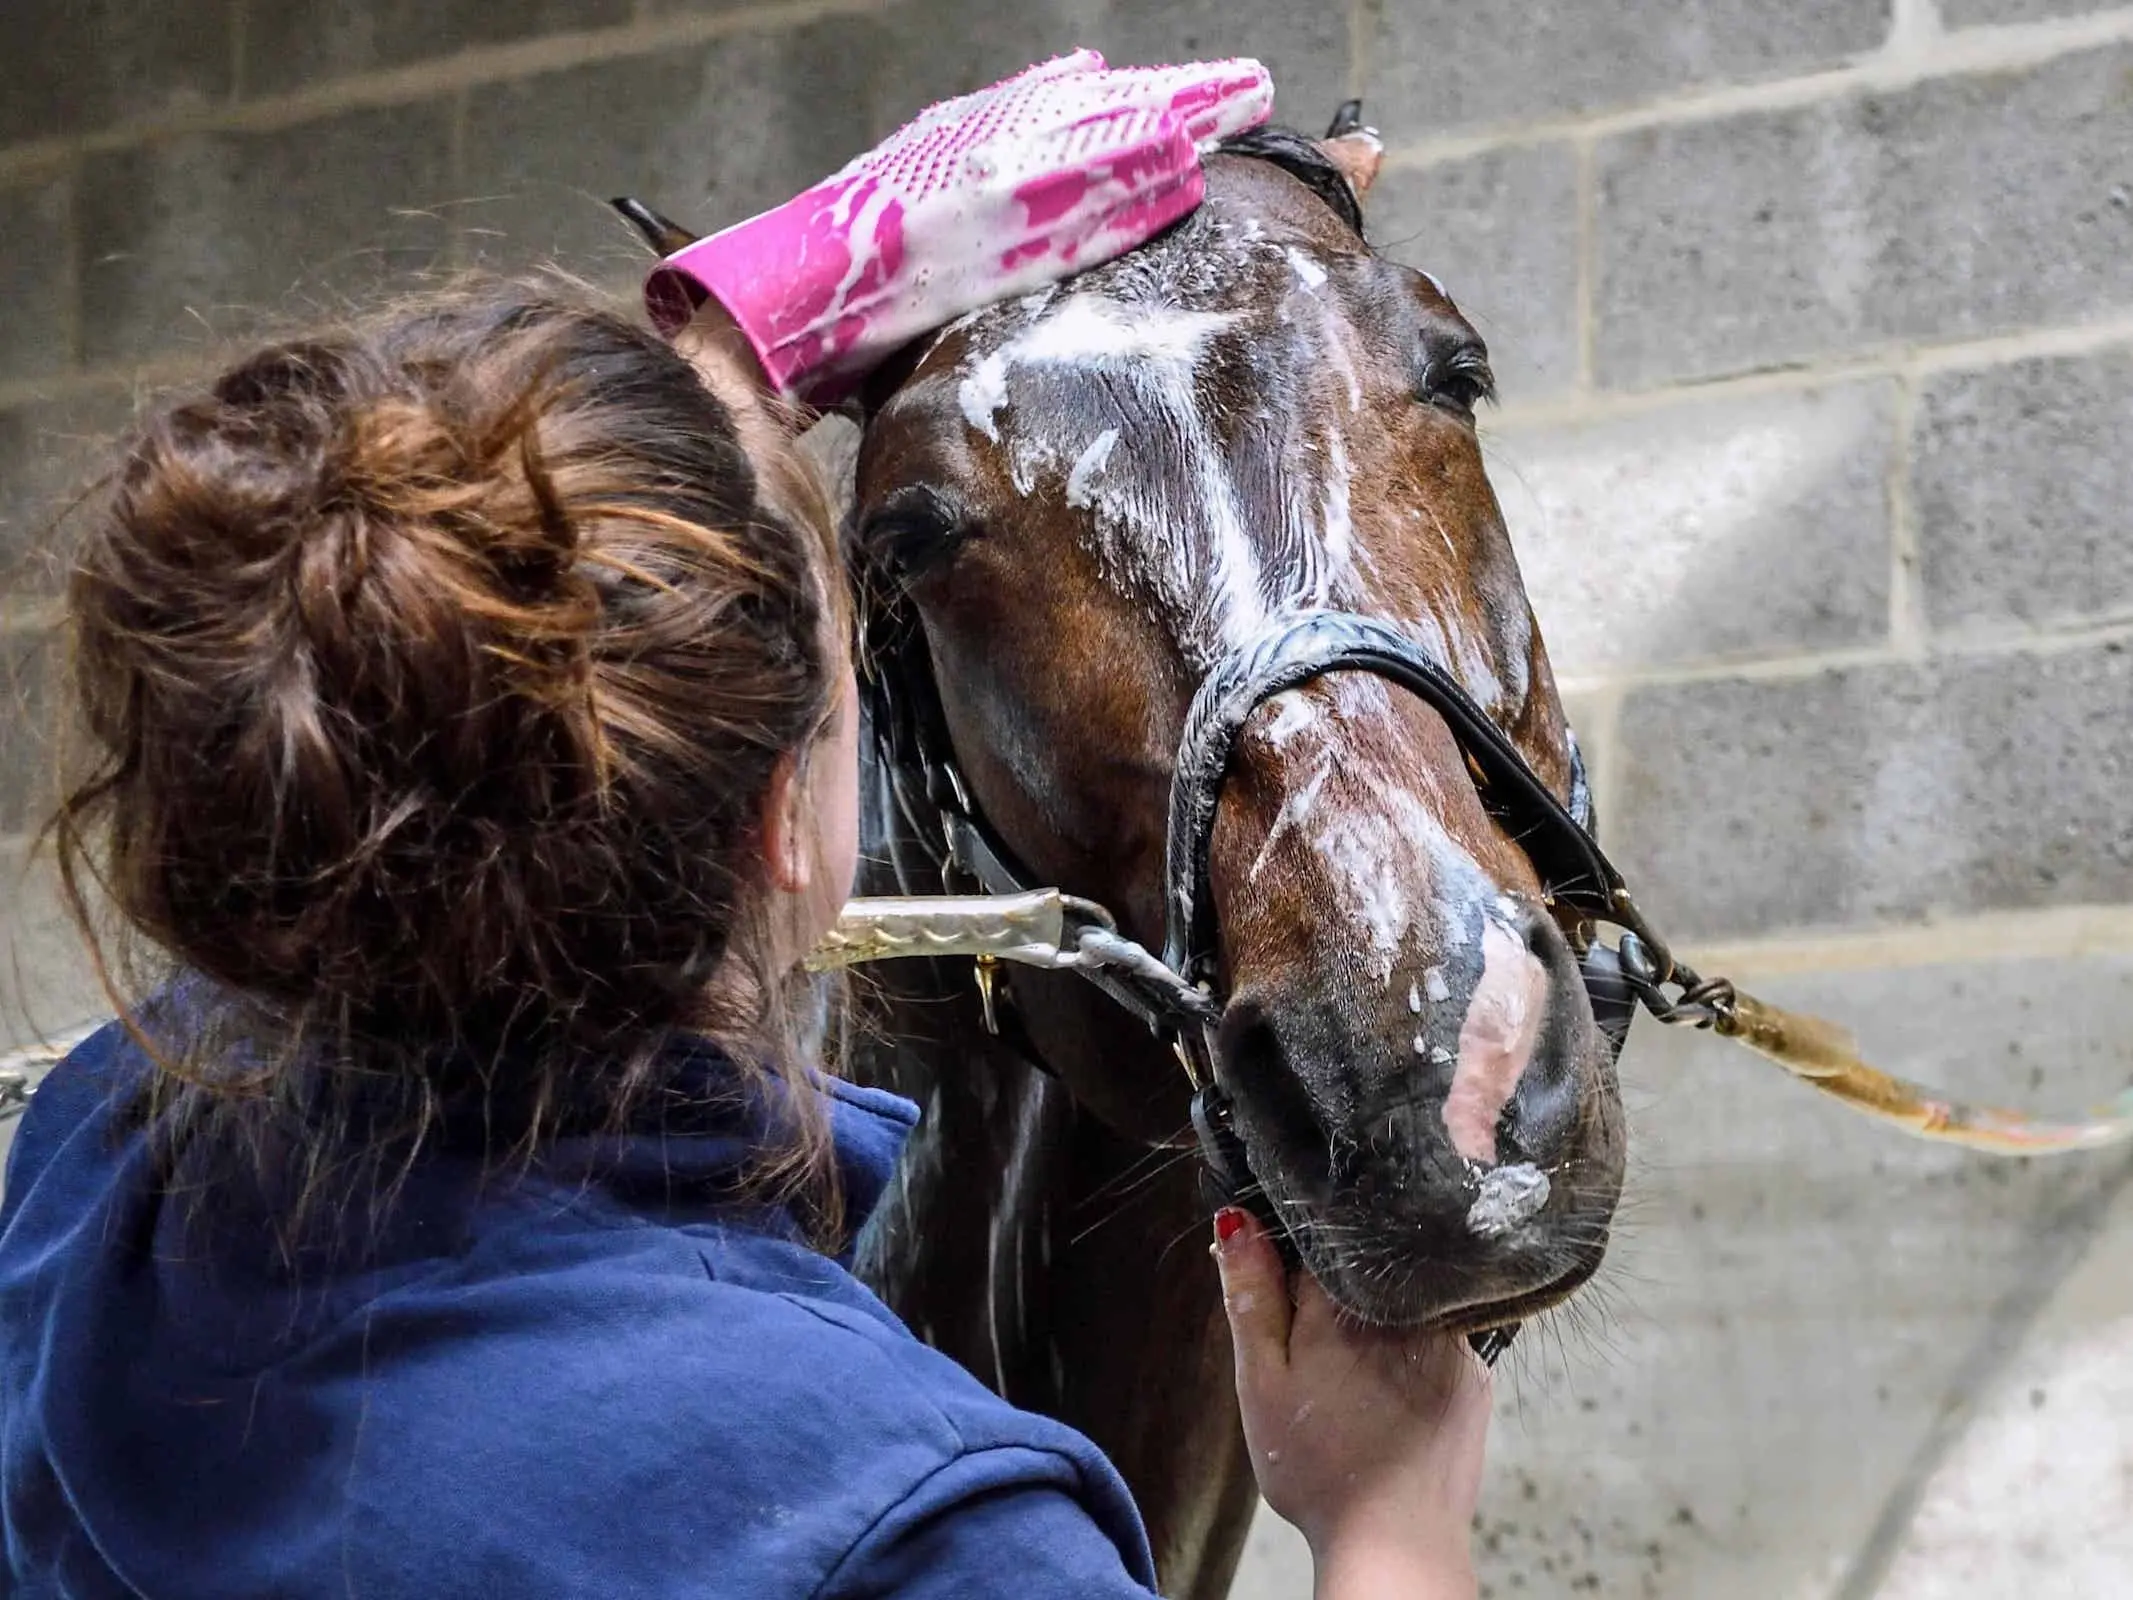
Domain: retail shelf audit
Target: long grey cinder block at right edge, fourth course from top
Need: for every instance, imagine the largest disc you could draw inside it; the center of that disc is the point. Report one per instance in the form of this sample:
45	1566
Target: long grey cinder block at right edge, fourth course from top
1880	795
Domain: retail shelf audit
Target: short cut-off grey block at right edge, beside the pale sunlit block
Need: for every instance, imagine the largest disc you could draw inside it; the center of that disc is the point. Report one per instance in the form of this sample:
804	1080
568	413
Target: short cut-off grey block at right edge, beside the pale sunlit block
2023	490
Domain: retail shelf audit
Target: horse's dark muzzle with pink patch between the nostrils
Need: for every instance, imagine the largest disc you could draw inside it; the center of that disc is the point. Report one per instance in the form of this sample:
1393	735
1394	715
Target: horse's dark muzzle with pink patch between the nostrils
1439	1164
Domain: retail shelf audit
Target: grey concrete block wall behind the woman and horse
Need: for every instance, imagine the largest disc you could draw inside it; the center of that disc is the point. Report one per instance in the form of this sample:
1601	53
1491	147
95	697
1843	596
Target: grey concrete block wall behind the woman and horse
1816	332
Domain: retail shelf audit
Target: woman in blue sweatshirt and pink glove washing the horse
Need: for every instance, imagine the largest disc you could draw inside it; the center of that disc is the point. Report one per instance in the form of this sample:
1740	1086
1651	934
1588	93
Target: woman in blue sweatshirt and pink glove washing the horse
477	761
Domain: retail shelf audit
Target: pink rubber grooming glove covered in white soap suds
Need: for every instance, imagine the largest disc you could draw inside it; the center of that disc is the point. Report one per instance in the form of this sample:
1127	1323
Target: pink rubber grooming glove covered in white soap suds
980	199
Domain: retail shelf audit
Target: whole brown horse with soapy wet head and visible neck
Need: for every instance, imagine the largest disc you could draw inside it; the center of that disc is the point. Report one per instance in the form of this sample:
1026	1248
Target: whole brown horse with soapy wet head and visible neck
1070	515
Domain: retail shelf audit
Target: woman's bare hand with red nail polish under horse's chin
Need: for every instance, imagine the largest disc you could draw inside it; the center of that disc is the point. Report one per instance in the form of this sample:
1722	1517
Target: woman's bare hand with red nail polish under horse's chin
1370	1443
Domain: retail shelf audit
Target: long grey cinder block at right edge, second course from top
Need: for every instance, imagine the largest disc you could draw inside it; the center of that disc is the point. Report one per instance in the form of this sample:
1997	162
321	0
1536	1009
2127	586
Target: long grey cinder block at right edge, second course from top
1957	208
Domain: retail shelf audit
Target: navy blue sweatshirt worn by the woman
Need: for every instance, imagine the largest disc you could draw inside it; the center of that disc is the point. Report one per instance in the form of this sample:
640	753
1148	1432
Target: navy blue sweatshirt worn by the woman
590	1379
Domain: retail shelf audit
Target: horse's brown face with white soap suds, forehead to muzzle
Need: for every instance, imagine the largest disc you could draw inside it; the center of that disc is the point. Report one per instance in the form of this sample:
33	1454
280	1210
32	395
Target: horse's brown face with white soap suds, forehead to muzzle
1097	492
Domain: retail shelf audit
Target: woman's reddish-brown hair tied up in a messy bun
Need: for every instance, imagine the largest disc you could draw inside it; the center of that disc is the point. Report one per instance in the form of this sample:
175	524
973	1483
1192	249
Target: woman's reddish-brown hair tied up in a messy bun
434	673
